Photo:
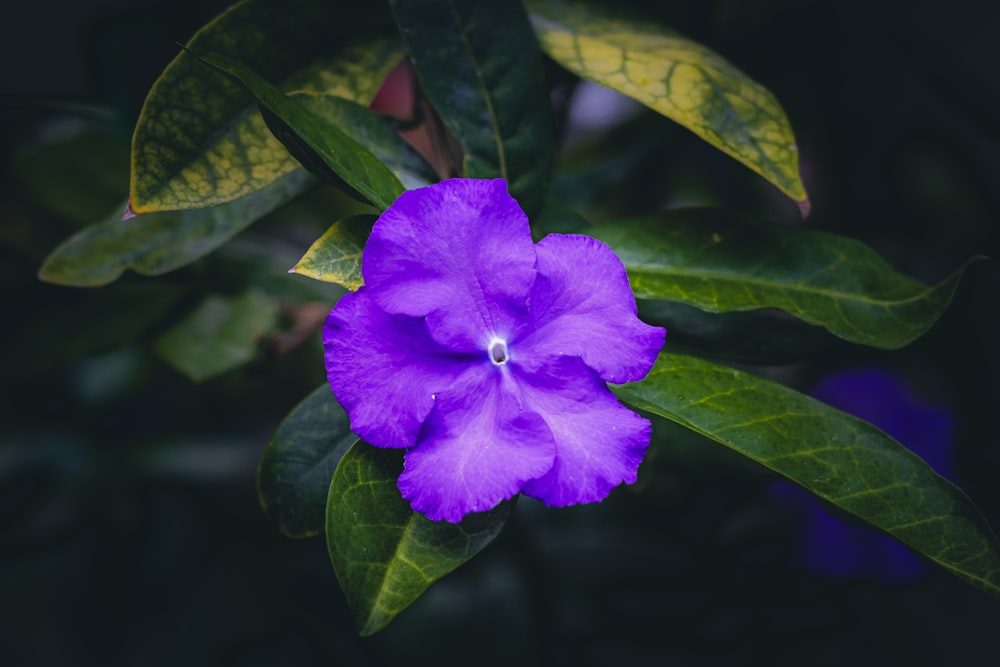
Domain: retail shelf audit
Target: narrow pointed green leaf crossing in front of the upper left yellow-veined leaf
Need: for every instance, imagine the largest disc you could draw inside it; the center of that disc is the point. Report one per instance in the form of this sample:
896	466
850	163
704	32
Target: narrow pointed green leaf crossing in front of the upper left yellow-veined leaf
348	159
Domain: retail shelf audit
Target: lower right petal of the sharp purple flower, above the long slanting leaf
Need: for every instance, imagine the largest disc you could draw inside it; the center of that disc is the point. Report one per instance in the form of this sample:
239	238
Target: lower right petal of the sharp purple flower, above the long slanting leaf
599	442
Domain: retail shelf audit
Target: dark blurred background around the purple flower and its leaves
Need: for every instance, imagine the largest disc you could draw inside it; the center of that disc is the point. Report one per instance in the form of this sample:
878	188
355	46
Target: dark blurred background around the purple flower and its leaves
130	532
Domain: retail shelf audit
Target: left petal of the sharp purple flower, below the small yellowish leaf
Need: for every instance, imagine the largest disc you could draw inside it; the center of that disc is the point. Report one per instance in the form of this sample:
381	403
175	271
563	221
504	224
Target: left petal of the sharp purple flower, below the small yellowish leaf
384	369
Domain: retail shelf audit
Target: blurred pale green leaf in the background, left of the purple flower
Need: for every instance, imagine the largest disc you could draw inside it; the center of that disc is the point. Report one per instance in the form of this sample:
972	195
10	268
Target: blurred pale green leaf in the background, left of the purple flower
220	334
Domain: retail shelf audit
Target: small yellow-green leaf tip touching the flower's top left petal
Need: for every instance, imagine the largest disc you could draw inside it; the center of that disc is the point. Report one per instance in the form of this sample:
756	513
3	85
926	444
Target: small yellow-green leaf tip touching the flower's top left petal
335	257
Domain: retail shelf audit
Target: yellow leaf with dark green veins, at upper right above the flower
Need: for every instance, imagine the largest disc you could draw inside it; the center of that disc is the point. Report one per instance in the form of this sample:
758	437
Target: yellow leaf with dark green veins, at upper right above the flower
677	77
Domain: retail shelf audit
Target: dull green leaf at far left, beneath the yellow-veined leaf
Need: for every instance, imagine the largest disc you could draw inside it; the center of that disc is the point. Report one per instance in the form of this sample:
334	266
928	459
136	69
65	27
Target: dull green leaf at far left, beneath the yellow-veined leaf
156	243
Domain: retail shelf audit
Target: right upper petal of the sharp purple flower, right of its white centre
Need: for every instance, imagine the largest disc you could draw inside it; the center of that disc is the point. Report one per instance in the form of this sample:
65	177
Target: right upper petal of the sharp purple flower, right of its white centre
582	305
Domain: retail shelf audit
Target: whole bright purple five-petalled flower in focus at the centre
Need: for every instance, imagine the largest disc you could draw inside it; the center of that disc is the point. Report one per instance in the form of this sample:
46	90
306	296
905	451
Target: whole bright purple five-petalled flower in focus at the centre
485	355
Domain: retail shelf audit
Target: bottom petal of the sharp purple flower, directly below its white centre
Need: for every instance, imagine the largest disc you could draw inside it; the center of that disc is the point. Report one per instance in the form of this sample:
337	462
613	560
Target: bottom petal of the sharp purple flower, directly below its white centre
478	448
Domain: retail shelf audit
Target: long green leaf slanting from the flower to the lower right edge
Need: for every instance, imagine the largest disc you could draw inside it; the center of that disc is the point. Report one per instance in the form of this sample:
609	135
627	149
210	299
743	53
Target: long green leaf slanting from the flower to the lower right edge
840	458
